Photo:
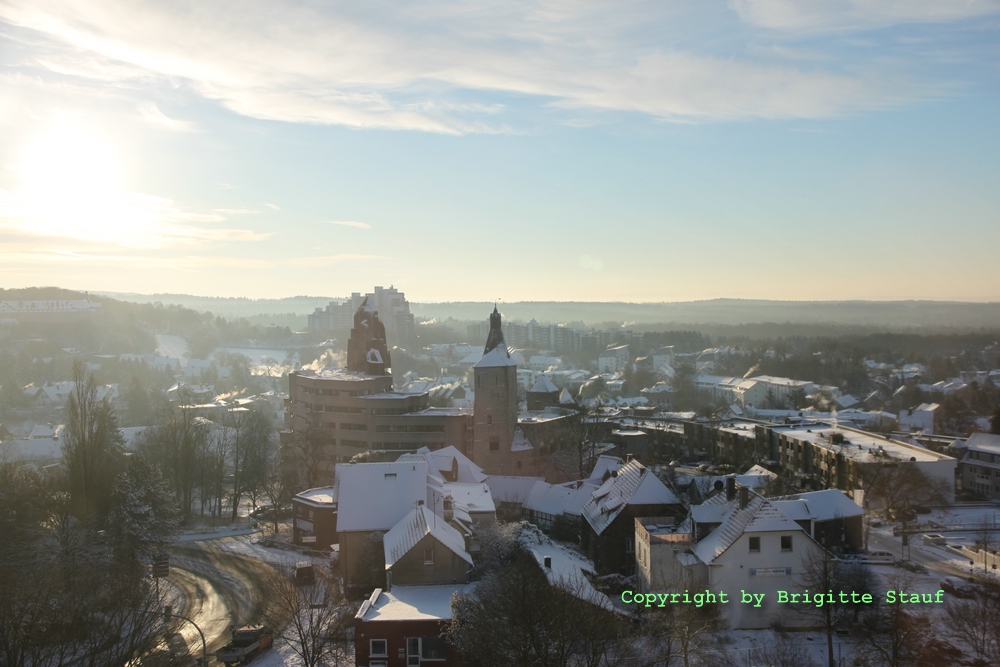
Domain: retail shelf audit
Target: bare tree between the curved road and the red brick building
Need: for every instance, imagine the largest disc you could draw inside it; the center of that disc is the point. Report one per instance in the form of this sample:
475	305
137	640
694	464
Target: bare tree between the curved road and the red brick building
312	619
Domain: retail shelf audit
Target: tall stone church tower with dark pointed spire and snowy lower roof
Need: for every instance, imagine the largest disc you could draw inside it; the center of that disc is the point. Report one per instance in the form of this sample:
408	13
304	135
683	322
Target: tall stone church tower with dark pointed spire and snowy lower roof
495	407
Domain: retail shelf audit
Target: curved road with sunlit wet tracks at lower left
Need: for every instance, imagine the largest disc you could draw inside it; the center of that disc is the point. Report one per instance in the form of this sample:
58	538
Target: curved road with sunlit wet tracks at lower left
220	589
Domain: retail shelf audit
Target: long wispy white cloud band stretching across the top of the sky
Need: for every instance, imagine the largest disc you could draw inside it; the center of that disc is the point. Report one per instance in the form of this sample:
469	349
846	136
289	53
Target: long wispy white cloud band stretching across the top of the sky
439	68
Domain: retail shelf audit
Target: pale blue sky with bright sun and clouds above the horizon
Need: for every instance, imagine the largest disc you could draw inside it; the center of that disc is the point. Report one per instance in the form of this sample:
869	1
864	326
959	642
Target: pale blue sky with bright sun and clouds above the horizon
553	150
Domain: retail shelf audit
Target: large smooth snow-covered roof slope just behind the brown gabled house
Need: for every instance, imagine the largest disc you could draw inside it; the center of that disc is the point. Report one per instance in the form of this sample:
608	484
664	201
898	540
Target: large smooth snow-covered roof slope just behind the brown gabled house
376	496
